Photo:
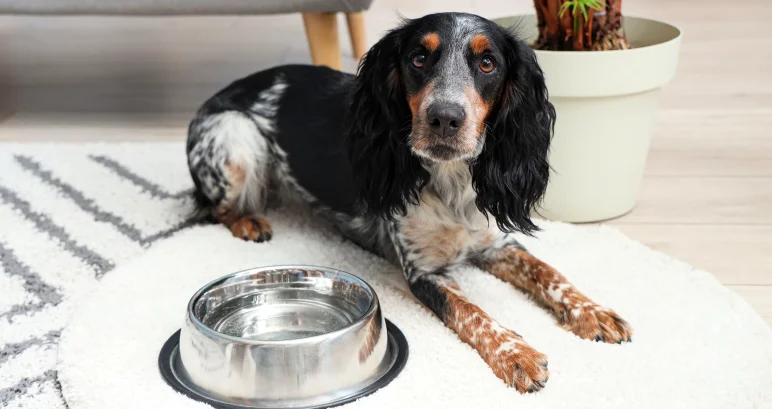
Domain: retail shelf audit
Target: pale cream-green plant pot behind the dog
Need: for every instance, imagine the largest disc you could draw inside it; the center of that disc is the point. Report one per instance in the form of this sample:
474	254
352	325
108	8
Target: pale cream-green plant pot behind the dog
606	103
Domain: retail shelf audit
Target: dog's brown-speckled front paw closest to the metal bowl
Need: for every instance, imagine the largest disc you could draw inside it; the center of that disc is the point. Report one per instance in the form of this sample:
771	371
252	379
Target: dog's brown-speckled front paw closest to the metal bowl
519	365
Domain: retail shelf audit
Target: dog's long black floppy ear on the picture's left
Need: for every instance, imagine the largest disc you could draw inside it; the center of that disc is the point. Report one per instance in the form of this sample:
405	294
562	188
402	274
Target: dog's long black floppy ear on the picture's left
387	176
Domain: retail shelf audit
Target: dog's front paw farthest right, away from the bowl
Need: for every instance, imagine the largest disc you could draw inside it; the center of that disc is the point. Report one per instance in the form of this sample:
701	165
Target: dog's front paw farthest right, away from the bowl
597	323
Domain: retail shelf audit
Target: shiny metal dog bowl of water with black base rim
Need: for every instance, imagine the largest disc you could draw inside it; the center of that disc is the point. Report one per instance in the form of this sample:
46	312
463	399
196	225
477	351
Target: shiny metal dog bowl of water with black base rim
283	337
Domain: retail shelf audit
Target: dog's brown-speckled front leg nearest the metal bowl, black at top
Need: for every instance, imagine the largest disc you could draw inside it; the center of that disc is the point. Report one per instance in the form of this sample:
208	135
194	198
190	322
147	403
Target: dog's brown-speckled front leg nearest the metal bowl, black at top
509	356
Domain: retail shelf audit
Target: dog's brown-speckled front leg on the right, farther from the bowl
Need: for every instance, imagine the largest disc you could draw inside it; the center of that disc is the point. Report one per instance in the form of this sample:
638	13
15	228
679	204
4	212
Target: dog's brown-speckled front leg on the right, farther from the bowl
510	262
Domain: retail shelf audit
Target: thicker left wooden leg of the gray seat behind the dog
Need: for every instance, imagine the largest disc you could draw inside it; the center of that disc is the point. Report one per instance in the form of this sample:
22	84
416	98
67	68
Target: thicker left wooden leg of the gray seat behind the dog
322	34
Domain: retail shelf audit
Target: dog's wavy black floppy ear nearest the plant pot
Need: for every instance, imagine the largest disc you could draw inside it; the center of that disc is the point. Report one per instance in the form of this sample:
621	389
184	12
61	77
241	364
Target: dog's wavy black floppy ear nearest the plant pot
510	176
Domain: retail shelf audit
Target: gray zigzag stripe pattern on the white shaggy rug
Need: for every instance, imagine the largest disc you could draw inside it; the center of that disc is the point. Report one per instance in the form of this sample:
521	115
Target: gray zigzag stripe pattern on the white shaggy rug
33	283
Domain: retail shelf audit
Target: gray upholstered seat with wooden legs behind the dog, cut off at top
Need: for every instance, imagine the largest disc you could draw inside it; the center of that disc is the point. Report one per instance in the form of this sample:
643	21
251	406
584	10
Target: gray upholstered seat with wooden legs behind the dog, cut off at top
319	16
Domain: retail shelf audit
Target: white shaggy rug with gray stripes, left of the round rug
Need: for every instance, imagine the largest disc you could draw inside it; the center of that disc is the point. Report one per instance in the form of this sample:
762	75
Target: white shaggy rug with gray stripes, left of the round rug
69	213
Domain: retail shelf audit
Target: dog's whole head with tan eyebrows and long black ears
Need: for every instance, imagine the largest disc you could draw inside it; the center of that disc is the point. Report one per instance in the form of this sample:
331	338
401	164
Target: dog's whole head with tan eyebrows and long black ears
444	88
